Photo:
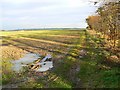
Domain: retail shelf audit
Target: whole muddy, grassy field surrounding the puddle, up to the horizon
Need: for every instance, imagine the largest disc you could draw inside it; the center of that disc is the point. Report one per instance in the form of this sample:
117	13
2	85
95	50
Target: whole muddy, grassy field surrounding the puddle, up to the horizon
79	60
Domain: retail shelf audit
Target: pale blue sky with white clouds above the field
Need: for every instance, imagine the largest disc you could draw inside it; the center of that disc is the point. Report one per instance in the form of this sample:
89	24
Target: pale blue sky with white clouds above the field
26	14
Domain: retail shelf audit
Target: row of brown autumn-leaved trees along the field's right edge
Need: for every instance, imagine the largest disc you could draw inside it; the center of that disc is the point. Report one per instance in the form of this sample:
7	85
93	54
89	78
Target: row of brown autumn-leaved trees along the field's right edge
107	22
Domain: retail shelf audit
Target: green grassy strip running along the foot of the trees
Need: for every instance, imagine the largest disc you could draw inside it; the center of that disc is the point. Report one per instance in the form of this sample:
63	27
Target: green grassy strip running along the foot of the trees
95	72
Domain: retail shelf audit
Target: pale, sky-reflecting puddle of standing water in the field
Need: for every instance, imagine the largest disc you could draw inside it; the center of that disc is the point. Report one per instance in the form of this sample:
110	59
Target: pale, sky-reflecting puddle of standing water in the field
45	64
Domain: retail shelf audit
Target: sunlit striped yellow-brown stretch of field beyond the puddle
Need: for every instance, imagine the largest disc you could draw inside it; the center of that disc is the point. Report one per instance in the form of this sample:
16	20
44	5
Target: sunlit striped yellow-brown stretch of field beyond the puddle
41	42
